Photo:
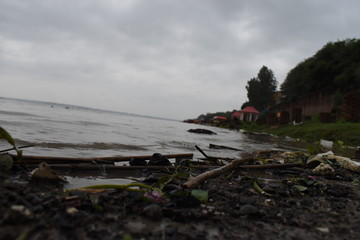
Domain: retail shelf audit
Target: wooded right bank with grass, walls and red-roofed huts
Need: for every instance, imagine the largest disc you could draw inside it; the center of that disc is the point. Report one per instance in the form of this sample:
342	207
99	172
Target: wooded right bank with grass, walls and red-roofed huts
326	84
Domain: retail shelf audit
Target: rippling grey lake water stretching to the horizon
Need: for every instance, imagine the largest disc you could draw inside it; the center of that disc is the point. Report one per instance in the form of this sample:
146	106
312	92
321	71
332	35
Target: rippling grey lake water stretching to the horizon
70	131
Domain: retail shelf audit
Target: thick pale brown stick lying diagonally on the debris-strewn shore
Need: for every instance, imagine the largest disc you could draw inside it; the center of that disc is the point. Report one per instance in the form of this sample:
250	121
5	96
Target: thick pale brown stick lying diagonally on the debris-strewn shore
215	172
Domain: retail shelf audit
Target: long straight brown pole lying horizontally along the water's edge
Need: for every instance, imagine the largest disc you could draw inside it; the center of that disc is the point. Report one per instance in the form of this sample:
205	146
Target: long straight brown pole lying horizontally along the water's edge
109	160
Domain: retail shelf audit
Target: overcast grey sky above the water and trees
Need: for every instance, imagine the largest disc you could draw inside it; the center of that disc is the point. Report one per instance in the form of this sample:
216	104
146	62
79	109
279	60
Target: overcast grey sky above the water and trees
168	58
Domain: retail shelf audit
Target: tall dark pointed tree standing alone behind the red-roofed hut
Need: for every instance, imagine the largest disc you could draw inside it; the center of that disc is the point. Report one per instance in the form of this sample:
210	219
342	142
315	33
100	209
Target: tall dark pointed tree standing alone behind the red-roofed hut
260	90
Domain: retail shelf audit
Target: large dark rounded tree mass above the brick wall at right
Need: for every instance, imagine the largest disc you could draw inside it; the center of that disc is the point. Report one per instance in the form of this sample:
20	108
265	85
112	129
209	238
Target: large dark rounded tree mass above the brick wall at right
335	67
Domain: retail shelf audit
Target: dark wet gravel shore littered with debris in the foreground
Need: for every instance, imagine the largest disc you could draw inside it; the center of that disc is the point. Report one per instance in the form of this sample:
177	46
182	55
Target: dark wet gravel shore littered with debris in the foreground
297	205
